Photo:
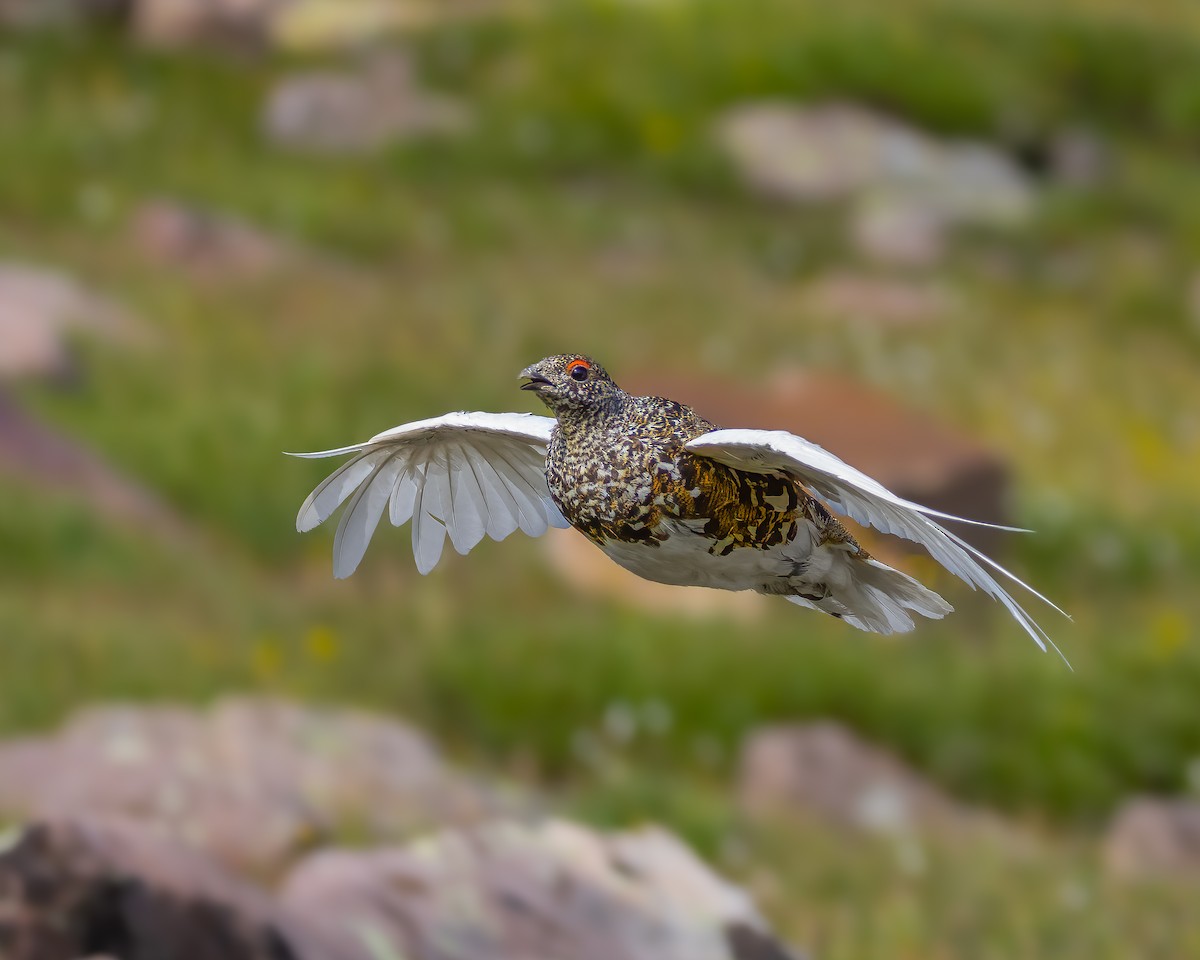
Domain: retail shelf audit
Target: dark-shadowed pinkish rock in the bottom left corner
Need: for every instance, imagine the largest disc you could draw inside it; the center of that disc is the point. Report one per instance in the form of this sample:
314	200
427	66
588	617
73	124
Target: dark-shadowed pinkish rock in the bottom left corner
79	890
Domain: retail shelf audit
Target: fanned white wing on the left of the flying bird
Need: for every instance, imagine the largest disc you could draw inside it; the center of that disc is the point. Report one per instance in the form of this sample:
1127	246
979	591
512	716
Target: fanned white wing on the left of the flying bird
467	475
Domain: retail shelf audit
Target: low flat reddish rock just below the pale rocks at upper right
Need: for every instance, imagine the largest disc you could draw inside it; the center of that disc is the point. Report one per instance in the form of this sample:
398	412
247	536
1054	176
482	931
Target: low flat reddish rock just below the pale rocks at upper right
878	301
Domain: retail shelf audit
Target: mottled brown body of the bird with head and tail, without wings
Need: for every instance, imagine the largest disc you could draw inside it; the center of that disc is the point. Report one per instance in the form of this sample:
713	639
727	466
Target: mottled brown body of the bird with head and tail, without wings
621	473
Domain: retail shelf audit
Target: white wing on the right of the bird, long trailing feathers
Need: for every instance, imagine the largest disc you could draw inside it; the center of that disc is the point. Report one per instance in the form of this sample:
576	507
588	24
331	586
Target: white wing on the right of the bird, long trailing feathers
859	496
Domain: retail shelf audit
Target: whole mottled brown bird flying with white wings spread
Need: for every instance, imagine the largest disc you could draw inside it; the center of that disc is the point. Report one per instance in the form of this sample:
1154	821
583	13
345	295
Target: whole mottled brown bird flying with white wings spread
662	491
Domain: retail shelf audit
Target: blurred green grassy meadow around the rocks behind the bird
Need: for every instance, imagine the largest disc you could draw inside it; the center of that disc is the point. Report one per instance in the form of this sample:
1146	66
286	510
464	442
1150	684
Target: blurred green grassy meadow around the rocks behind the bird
434	269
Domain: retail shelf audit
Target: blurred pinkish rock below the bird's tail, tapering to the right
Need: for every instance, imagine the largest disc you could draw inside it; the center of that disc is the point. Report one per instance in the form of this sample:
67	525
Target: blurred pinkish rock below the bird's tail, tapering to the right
825	772
